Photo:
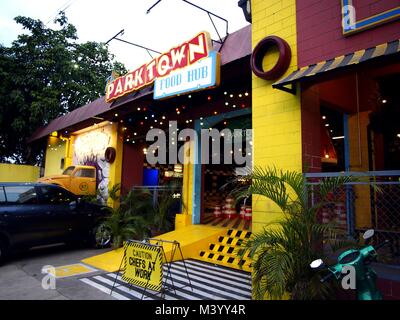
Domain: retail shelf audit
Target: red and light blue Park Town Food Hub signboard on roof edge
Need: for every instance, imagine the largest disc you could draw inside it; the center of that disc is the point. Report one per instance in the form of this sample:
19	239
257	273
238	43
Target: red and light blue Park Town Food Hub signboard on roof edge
189	67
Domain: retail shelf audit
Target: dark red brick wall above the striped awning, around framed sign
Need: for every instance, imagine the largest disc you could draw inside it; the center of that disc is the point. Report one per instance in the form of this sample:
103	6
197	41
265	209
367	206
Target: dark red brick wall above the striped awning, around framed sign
319	29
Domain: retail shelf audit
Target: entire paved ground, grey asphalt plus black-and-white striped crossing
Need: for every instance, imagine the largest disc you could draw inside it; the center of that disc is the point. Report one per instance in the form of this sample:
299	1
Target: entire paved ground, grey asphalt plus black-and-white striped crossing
21	278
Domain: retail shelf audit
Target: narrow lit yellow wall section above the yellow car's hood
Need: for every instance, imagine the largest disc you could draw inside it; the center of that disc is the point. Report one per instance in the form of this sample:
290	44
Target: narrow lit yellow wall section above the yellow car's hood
55	151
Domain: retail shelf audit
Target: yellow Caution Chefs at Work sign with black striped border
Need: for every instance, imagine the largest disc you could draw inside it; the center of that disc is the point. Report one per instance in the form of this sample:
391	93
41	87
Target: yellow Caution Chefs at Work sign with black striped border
143	265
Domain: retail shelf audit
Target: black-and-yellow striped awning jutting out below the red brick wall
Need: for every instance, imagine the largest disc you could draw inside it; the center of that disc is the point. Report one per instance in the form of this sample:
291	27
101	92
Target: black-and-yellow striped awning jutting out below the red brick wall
338	63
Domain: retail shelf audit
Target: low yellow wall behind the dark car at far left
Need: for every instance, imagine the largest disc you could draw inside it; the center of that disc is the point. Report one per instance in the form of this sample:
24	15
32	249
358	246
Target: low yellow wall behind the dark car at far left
18	173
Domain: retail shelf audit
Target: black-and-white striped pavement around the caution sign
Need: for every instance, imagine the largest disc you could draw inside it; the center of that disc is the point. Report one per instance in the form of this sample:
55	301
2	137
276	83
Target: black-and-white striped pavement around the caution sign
192	280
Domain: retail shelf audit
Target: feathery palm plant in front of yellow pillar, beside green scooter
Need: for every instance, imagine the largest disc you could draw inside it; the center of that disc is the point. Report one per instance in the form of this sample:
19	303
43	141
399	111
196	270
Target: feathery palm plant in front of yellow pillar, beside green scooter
283	251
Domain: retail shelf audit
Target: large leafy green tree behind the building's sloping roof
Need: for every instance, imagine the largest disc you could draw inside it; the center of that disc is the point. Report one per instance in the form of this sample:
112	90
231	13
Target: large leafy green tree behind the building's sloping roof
43	75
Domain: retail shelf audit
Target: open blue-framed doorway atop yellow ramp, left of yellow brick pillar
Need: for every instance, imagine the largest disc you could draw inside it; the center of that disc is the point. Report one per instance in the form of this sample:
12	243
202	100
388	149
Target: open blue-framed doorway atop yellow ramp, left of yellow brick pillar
219	206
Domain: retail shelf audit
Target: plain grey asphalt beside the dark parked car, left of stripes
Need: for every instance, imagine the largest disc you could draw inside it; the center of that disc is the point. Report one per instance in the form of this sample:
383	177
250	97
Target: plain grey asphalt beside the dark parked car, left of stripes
21	278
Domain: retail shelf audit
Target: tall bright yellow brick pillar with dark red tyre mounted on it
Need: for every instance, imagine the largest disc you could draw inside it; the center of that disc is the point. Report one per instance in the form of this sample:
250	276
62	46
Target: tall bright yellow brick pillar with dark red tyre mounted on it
276	114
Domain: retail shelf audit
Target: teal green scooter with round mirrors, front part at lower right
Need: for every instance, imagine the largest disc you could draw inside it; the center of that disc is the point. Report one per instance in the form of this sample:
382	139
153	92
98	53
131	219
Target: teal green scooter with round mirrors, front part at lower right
358	261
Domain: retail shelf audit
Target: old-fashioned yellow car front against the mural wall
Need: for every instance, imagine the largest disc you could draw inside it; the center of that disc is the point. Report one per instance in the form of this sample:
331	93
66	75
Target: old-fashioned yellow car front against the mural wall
80	180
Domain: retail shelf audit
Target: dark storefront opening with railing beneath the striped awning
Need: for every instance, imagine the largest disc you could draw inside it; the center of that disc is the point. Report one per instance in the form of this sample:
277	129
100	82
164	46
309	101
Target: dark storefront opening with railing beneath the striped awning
358	132
